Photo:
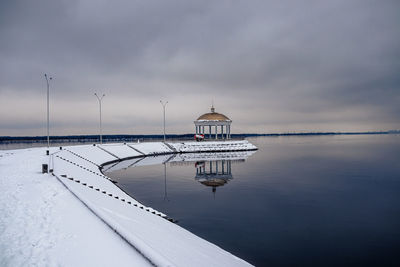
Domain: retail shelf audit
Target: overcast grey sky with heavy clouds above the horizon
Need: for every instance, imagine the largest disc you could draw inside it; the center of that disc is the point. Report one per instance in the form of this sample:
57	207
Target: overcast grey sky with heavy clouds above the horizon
270	66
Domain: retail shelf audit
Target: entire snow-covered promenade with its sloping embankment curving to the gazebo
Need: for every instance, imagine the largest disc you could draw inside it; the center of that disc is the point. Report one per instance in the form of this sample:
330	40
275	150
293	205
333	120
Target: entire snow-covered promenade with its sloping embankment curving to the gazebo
76	216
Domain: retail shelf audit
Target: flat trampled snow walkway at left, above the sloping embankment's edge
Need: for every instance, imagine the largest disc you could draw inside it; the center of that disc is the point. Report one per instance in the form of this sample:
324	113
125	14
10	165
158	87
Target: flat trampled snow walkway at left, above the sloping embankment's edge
43	224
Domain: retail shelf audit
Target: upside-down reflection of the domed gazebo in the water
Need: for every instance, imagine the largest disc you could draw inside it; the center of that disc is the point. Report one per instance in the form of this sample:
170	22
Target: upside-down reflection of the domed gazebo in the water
213	173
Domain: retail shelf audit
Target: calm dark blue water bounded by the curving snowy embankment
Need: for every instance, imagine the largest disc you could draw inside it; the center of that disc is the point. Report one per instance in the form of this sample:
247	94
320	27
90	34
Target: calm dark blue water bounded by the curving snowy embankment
297	201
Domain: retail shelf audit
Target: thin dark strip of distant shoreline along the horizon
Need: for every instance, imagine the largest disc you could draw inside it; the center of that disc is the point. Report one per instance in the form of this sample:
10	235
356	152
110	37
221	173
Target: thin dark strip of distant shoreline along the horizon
126	137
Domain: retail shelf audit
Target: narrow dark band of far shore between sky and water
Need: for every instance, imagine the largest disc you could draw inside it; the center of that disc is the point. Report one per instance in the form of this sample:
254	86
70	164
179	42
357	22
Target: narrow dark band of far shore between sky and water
160	136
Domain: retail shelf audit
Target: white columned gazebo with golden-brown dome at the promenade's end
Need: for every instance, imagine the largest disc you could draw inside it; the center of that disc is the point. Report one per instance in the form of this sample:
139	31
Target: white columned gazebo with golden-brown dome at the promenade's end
213	124
